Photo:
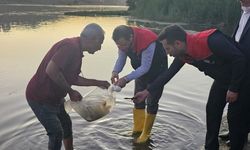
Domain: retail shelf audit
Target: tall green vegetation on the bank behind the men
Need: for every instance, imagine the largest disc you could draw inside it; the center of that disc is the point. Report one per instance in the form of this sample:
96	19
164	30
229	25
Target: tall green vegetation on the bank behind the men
216	12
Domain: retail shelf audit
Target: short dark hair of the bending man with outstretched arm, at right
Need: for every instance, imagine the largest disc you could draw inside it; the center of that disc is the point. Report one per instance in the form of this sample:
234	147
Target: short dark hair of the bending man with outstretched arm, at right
172	33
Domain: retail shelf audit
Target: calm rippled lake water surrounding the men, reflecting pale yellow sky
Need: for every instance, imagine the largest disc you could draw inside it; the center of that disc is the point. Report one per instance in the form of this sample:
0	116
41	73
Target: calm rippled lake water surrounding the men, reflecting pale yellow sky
180	123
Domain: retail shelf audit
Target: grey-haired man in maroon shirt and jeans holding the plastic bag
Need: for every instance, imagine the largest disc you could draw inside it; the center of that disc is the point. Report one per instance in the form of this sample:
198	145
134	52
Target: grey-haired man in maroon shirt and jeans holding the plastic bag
60	69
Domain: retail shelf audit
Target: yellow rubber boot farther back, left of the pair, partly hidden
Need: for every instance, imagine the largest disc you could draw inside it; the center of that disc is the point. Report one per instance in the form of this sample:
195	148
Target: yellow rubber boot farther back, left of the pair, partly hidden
139	117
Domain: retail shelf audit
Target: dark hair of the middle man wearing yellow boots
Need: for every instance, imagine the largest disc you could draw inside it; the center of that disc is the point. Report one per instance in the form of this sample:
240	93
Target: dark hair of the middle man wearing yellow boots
122	31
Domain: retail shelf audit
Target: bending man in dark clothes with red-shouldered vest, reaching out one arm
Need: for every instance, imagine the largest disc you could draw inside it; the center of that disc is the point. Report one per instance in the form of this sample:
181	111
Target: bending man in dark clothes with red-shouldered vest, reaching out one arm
217	56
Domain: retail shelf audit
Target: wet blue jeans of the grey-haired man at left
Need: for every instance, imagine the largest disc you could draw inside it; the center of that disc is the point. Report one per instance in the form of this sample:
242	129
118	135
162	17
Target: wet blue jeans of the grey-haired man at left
55	120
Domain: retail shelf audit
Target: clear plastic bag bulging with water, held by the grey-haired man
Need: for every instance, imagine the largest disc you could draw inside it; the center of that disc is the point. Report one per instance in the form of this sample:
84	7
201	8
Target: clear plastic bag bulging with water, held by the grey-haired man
94	105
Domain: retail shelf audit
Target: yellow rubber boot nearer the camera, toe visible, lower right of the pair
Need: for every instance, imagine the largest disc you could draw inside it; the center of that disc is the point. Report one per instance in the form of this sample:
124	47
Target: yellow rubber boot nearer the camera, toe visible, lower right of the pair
148	124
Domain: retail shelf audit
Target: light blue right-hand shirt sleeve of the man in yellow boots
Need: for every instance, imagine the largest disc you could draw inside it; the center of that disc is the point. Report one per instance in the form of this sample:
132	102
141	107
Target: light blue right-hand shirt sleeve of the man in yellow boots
146	61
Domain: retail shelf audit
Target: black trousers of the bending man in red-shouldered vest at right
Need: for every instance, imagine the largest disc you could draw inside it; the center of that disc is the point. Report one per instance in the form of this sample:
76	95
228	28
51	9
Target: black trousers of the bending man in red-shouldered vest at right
237	117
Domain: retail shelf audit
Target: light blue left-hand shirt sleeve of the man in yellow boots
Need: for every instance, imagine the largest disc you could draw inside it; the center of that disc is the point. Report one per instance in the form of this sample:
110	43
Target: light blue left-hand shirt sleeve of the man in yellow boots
120	62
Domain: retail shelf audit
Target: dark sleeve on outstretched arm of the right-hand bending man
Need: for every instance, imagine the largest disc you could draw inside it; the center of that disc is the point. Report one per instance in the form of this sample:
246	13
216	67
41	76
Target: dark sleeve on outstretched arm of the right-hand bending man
167	75
